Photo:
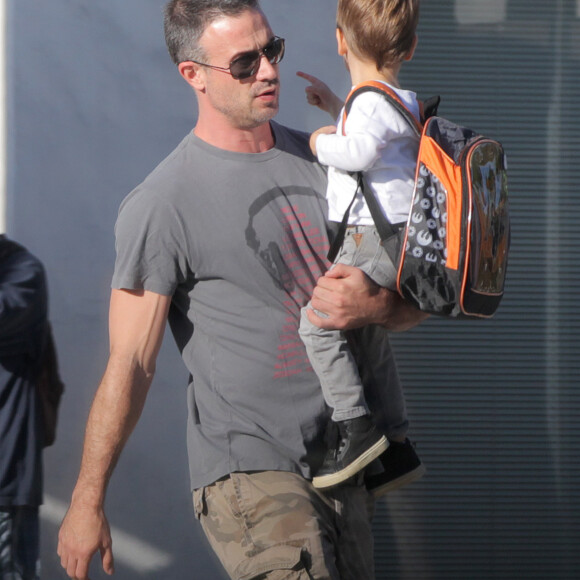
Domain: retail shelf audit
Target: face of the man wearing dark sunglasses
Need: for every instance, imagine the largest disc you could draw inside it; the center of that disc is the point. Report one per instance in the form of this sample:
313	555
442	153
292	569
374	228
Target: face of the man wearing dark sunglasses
247	103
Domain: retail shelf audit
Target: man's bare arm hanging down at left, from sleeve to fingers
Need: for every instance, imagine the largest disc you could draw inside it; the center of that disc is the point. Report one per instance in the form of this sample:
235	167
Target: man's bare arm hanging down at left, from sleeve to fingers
136	327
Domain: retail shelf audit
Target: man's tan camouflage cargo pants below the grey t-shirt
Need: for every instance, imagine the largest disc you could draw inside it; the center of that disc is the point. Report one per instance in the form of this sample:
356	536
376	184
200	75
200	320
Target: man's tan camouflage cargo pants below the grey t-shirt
274	525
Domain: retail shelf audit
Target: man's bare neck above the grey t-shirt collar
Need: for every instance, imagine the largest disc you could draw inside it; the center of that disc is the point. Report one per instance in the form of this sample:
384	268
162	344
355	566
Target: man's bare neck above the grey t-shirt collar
257	140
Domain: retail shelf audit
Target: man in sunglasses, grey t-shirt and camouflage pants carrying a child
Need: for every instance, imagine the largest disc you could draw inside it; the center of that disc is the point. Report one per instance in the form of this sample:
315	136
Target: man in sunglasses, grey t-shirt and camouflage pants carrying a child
225	239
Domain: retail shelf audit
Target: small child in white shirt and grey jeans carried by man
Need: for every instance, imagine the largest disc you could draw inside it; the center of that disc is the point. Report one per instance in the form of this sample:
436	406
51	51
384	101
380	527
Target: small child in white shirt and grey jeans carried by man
374	37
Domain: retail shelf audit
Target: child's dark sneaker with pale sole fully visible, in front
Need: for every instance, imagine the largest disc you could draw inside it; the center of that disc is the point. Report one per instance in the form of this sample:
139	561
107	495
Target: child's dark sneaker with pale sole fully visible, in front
359	443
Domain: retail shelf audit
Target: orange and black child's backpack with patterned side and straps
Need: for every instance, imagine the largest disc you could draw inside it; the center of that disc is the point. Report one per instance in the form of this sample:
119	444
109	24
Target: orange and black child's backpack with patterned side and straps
452	252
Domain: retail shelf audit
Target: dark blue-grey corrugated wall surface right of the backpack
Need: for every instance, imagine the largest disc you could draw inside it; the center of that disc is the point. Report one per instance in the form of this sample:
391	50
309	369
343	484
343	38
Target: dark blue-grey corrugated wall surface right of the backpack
495	404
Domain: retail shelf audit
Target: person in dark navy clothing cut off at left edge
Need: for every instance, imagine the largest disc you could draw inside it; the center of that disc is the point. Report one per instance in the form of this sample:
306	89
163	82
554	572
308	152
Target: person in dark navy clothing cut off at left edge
23	319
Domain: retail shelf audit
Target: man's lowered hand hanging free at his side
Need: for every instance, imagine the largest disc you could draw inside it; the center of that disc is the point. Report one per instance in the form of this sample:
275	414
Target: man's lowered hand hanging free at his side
84	532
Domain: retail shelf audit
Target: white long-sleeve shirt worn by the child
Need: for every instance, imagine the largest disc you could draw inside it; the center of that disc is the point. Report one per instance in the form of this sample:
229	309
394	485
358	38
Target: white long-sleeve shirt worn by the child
379	142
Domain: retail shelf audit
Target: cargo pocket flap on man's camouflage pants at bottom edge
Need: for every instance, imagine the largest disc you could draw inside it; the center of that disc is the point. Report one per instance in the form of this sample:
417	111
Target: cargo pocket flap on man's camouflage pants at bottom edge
274	563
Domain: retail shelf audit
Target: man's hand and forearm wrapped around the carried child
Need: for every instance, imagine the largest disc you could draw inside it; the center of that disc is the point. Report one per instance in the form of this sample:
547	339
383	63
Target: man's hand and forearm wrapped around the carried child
351	299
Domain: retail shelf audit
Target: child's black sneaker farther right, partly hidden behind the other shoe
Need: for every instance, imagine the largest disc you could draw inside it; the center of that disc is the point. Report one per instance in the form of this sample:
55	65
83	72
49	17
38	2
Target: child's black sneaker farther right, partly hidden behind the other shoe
401	466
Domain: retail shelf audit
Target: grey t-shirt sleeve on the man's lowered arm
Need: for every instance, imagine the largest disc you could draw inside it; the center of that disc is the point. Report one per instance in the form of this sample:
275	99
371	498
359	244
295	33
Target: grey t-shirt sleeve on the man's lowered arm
150	245
